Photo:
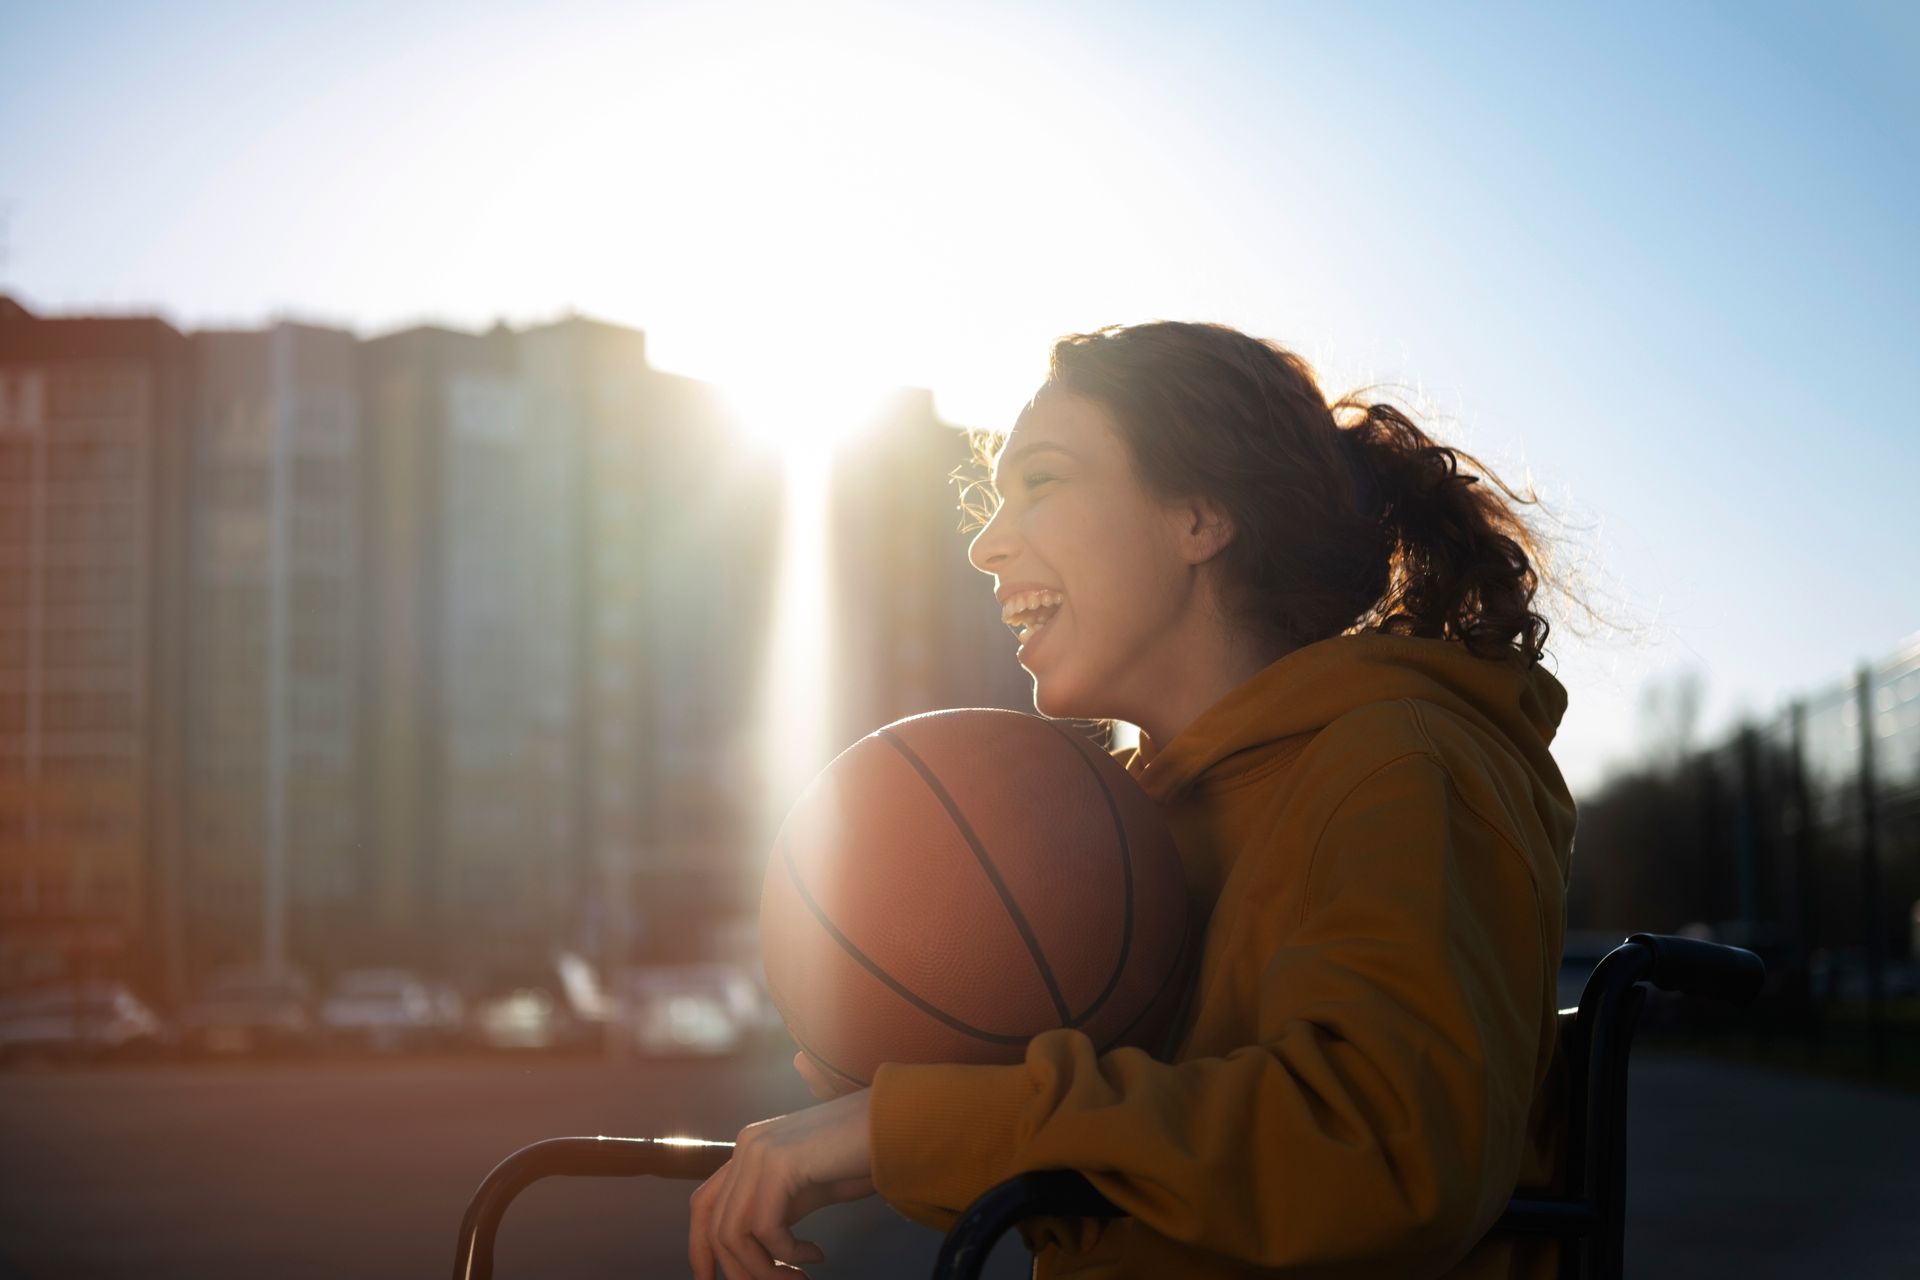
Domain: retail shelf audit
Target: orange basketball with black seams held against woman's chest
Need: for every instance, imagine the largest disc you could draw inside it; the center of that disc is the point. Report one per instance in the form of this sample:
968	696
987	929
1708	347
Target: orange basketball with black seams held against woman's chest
961	882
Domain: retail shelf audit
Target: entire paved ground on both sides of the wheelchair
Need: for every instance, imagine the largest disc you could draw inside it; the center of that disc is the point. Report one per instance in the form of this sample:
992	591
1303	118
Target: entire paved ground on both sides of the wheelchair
362	1170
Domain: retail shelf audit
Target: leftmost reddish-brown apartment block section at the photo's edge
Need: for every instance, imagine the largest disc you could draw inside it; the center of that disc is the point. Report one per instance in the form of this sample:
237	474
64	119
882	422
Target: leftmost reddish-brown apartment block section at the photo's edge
93	644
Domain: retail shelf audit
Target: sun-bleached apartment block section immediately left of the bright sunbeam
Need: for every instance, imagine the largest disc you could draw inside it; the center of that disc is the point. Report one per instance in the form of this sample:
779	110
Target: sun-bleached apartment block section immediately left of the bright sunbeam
671	605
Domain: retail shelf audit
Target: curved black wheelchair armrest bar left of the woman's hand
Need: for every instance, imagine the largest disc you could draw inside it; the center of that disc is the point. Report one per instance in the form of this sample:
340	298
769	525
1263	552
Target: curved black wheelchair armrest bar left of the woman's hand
573	1158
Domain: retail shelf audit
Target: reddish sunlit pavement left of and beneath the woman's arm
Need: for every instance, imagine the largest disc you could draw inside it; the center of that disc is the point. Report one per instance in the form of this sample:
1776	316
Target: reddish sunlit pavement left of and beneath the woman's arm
362	1170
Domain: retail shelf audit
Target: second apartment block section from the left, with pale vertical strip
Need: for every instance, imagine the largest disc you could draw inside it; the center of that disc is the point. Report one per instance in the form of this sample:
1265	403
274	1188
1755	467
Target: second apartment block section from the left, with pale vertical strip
274	872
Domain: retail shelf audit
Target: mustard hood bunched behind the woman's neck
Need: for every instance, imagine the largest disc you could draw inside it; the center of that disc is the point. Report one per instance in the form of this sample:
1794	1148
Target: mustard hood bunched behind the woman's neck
1284	705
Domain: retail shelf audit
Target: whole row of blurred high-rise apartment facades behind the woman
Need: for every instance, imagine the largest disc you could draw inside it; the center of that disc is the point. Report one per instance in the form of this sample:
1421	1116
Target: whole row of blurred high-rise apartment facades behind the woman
437	650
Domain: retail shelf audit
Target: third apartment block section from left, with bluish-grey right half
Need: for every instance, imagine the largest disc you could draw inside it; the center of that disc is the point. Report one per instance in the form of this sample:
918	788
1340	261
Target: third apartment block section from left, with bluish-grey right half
462	765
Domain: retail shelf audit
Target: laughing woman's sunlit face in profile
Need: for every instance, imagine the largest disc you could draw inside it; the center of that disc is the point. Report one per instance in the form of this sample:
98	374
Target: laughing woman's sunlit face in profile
1092	571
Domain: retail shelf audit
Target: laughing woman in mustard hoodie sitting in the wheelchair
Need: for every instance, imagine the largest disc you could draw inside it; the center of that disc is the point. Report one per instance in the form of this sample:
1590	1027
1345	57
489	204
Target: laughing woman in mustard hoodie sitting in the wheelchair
1324	628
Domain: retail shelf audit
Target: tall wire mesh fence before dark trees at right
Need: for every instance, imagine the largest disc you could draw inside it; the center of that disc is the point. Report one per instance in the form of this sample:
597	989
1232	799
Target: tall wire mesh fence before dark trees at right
1798	836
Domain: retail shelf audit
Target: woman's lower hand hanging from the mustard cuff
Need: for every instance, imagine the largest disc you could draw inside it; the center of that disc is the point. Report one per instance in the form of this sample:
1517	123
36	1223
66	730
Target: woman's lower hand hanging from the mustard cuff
782	1170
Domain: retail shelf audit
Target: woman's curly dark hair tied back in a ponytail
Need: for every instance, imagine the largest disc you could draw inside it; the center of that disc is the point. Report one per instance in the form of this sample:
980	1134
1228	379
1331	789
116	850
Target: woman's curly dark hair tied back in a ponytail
1347	515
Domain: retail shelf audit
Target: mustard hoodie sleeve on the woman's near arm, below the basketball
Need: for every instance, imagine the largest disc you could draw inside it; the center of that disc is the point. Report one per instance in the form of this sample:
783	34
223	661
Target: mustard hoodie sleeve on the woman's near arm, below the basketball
1378	1114
